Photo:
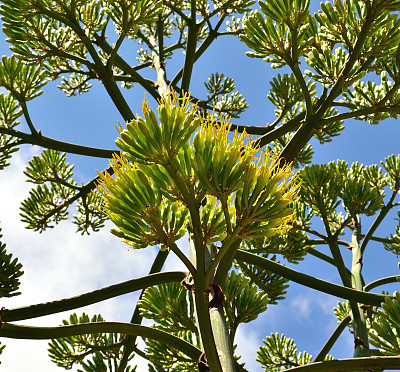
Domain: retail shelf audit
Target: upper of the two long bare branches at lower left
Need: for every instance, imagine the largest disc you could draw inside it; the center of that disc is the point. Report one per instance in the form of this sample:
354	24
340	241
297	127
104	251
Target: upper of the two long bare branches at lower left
90	298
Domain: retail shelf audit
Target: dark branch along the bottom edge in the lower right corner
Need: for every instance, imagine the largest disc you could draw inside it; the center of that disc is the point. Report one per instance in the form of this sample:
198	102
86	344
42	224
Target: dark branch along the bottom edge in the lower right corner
343	365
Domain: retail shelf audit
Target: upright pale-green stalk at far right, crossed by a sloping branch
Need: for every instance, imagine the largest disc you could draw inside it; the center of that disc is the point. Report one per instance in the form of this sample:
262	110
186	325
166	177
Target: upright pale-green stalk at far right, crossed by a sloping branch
360	330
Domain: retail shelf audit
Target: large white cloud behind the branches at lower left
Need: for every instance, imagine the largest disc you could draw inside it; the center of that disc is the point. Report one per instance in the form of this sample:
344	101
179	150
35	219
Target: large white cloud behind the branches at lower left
59	263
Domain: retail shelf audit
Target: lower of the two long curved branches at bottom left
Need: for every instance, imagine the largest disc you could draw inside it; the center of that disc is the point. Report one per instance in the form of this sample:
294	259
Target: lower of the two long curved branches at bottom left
43	333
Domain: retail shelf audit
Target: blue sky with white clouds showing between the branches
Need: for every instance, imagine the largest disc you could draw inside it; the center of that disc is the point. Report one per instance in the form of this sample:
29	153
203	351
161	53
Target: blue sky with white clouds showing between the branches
60	263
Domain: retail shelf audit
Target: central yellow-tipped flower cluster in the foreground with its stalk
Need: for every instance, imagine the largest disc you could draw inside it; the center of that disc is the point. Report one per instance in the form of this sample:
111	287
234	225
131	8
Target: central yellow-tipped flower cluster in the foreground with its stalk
181	173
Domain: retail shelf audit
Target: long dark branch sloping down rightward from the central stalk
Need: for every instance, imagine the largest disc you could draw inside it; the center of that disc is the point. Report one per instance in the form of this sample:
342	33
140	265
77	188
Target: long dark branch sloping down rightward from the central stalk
310	281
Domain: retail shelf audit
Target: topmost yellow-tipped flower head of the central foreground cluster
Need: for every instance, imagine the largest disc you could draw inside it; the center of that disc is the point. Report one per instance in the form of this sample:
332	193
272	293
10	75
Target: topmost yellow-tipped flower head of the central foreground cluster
152	140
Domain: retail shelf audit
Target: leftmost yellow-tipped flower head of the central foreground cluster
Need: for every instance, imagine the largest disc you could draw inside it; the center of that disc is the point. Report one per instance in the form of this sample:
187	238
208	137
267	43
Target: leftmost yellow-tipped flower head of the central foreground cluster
138	209
